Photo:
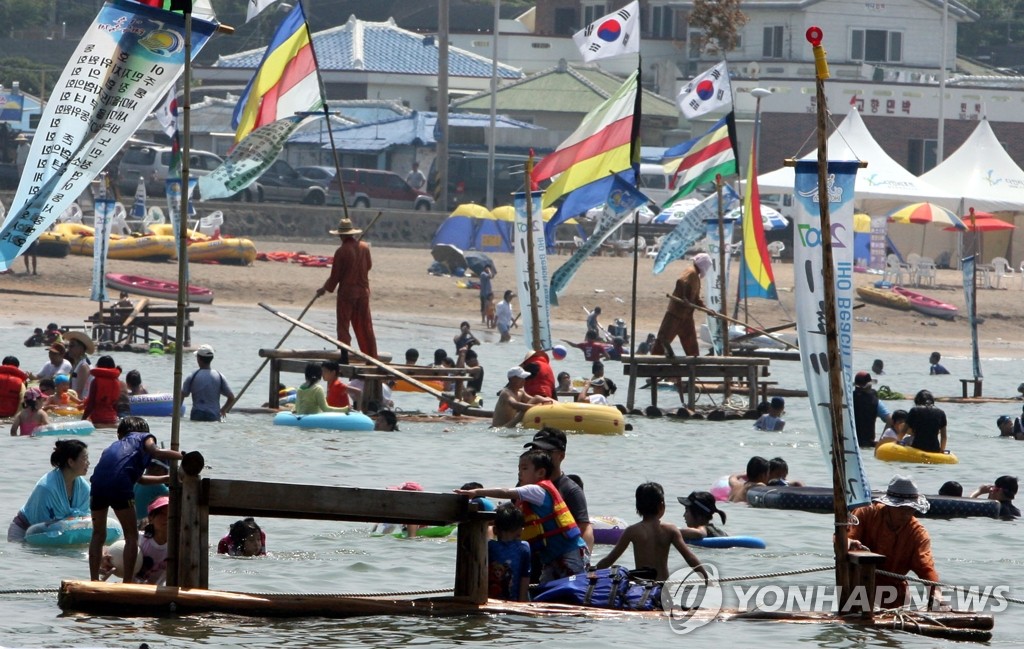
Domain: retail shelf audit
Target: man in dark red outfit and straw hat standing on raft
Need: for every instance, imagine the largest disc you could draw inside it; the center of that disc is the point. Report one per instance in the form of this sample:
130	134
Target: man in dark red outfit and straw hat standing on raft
351	275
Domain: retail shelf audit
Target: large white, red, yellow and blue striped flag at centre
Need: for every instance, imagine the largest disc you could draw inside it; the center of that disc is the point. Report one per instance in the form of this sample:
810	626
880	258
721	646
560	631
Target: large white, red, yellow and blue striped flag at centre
582	168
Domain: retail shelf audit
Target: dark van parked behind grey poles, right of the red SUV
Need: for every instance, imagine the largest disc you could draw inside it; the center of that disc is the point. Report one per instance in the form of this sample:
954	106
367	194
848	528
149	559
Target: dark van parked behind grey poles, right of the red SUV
468	178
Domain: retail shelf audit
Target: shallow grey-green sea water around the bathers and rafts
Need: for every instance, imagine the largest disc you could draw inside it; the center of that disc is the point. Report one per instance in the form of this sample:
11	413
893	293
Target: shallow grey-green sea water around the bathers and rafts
326	557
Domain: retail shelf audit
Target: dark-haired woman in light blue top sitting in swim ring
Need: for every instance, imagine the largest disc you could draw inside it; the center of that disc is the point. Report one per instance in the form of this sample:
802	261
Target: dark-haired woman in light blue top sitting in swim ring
61	494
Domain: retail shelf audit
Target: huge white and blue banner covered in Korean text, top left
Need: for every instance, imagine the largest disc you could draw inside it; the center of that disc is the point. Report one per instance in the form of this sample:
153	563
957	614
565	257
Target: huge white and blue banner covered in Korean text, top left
124	65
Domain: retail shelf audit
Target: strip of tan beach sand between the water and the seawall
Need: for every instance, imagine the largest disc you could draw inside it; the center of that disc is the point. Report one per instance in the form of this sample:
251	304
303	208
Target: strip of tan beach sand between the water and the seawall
403	289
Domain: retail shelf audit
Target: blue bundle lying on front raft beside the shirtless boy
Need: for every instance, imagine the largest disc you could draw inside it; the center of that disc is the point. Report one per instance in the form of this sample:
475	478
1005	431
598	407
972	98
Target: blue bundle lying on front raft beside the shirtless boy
609	588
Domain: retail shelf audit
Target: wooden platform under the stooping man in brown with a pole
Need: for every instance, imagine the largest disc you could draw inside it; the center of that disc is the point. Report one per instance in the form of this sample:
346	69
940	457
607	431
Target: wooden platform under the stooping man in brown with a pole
698	370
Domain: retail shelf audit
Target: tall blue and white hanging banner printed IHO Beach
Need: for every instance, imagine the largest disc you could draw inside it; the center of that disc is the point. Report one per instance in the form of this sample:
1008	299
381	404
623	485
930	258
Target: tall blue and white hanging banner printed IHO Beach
807	244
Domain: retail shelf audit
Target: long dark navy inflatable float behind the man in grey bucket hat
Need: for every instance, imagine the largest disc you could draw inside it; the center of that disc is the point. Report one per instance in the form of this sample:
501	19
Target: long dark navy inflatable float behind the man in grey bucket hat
820	501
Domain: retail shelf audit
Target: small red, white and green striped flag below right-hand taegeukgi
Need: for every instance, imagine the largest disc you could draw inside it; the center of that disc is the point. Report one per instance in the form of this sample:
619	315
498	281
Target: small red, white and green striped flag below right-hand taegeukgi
698	161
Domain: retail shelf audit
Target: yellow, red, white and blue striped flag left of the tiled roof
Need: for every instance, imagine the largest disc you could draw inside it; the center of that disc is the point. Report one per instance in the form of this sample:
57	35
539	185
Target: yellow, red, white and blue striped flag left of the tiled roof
286	81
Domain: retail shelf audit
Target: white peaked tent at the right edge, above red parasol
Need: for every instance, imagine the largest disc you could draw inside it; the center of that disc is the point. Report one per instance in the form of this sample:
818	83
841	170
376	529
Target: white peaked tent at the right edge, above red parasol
983	174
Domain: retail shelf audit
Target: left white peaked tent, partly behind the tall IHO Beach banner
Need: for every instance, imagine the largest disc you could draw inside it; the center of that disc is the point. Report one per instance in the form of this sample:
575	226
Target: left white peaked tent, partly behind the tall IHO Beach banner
882	187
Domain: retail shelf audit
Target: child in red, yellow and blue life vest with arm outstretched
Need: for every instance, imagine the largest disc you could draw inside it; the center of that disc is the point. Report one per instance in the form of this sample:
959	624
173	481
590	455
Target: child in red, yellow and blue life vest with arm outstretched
550	530
